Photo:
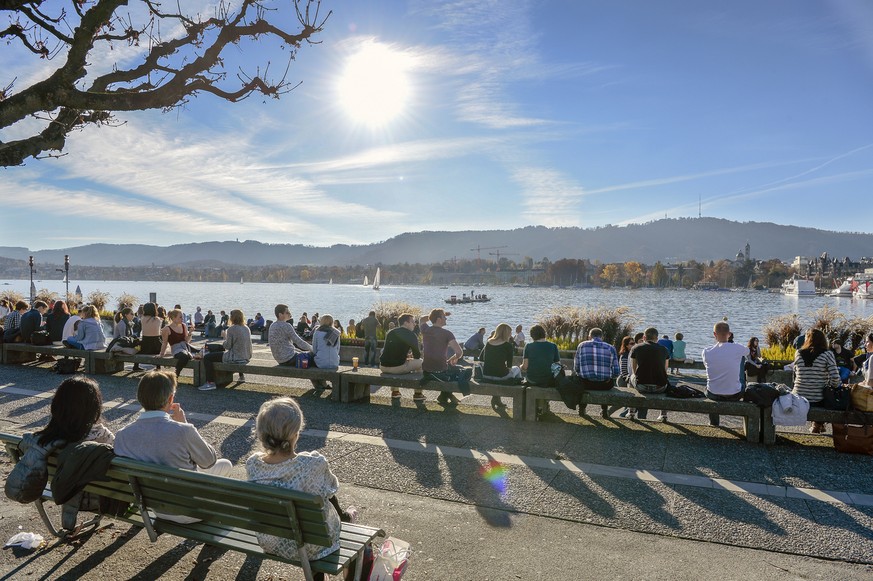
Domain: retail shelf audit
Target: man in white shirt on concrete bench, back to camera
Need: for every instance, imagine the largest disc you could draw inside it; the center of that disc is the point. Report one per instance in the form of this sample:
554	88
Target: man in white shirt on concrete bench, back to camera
724	363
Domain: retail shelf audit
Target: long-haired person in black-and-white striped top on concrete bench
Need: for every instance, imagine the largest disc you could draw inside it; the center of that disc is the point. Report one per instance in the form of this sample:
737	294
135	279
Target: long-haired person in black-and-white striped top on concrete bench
815	368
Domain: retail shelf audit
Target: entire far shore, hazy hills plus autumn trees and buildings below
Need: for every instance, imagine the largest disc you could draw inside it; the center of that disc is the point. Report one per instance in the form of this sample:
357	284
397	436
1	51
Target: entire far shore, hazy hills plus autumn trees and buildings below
666	253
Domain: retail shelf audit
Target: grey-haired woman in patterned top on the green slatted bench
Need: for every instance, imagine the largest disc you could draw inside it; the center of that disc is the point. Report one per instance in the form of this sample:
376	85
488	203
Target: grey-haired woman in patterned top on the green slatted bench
277	430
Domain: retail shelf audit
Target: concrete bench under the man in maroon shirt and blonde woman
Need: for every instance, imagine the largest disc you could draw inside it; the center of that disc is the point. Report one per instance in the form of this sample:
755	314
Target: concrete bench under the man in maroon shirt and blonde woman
356	387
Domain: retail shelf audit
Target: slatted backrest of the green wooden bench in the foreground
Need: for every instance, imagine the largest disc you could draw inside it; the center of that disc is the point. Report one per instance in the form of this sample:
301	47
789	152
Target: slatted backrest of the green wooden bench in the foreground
212	499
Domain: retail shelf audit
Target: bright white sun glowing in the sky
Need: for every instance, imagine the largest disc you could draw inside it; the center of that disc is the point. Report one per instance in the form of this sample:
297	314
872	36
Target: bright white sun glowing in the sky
374	86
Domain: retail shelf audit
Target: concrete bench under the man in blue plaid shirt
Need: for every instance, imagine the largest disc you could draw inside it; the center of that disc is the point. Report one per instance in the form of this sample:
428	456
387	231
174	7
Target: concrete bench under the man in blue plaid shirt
629	397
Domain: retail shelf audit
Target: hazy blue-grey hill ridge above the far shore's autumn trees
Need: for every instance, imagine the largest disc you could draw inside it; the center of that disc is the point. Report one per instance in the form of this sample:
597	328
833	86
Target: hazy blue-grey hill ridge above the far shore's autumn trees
665	240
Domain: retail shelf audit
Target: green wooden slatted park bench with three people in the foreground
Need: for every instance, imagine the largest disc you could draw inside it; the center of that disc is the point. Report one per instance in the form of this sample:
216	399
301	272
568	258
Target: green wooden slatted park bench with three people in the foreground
231	512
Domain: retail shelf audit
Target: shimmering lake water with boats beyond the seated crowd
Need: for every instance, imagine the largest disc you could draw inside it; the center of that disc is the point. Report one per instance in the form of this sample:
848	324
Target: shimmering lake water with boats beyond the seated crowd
691	312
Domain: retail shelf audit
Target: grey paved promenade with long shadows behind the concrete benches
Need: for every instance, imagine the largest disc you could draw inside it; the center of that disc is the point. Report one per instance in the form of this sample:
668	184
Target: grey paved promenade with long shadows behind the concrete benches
586	497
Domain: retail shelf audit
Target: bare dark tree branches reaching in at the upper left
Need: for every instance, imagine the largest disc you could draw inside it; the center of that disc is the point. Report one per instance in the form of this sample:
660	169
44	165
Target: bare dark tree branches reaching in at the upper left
177	55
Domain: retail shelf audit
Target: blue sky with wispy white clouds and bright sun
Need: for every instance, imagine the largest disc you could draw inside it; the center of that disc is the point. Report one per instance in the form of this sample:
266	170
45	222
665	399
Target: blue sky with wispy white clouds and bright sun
481	114
